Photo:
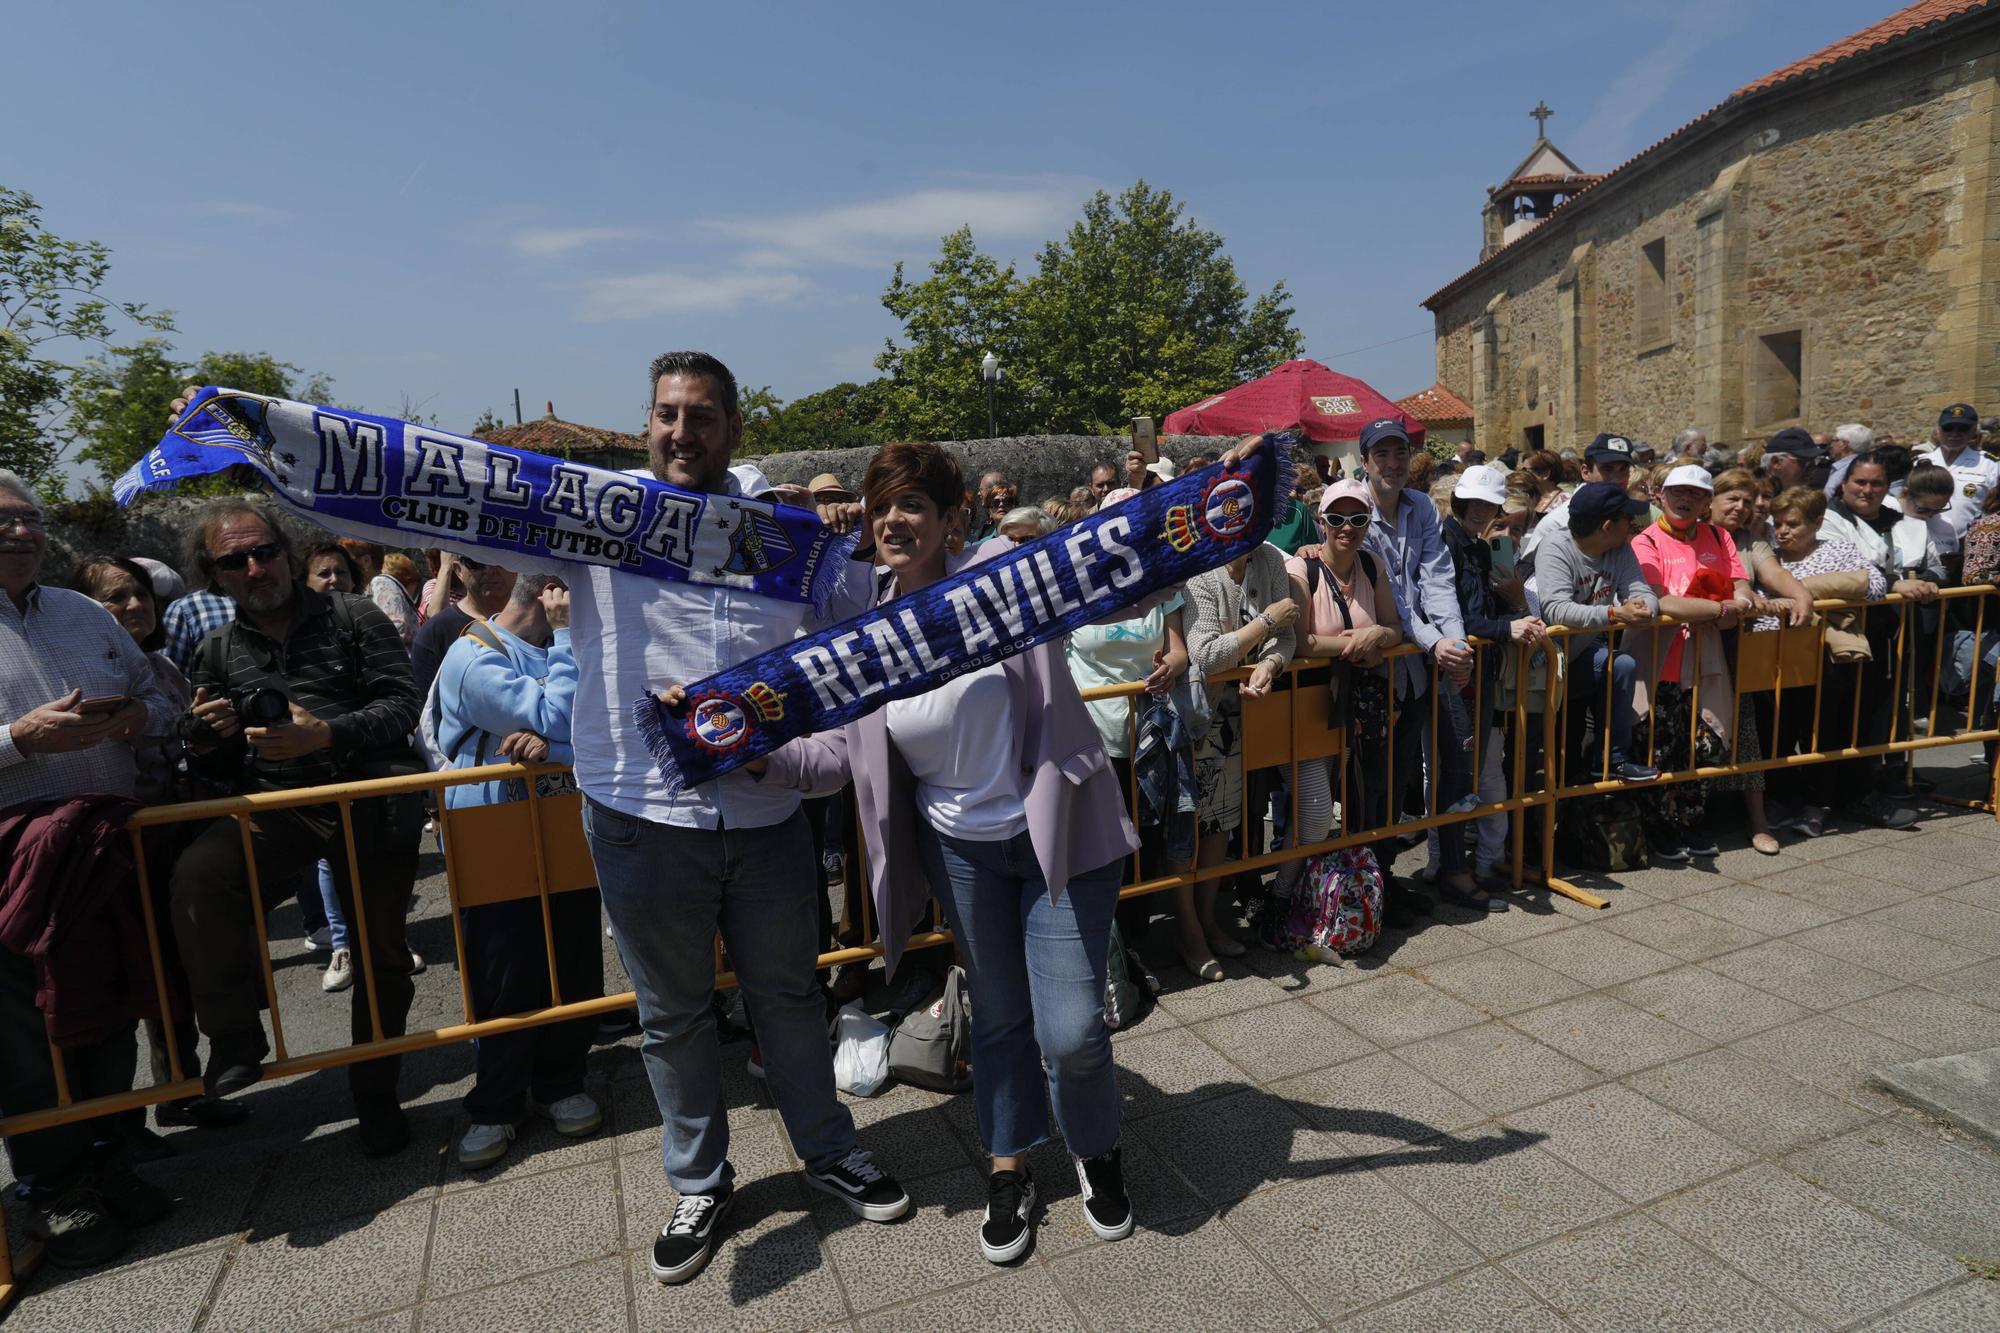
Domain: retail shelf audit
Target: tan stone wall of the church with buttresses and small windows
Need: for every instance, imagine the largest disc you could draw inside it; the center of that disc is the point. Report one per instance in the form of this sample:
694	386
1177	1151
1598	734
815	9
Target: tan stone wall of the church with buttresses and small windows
1857	213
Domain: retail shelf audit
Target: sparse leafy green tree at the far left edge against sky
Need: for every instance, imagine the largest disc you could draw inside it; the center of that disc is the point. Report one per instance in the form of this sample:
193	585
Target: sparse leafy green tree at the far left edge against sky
49	301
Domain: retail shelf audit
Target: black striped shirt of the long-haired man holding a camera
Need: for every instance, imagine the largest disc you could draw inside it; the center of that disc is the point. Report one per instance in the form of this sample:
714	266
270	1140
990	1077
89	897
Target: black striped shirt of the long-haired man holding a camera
355	682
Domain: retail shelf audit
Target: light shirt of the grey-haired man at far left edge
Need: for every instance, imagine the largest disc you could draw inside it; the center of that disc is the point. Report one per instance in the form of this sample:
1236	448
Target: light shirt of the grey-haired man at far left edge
57	643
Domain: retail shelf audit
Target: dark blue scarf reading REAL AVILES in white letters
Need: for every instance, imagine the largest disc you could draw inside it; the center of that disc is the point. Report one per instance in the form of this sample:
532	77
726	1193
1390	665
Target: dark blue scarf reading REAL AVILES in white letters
977	617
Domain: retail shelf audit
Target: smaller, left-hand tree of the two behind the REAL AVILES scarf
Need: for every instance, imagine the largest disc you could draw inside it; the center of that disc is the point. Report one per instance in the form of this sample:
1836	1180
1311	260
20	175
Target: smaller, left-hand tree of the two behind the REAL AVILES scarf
965	309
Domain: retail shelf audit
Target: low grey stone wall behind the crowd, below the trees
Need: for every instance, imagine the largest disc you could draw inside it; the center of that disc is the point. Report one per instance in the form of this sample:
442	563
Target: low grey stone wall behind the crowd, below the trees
1041	465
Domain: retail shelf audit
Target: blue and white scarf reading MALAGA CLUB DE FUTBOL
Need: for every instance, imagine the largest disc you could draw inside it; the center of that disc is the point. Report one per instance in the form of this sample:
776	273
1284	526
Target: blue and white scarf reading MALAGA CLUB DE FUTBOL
407	485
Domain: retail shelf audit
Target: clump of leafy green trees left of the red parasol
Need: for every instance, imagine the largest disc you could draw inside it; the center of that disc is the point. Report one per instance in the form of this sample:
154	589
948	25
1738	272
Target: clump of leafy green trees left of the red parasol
1135	313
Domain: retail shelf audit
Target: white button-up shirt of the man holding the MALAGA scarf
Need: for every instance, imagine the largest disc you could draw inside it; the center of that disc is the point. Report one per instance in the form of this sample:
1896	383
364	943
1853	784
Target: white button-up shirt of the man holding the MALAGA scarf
633	635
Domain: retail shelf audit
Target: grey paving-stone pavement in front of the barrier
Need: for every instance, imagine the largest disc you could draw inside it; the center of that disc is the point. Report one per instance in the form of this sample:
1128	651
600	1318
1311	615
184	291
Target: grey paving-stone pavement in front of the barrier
1647	1118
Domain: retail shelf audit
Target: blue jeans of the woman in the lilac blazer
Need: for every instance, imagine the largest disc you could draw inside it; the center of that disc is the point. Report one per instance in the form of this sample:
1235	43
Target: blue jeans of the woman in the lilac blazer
1037	974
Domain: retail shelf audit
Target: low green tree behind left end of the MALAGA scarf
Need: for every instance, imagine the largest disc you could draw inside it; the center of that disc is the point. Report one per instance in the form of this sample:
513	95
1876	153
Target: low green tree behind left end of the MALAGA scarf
123	399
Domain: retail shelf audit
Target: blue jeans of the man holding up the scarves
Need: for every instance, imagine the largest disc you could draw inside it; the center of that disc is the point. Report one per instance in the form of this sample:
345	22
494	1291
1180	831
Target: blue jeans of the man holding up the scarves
667	892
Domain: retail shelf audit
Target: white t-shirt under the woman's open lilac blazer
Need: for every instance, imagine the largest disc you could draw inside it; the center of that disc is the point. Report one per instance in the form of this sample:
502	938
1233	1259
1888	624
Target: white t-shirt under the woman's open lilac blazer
959	742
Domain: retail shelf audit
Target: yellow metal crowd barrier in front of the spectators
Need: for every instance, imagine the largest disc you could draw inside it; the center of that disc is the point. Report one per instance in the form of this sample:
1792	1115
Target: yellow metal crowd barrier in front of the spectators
495	856
